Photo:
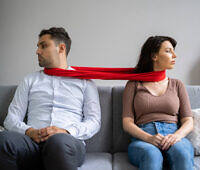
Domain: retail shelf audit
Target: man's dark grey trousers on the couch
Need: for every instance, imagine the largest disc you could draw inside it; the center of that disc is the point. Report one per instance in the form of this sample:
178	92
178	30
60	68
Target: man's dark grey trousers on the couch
59	152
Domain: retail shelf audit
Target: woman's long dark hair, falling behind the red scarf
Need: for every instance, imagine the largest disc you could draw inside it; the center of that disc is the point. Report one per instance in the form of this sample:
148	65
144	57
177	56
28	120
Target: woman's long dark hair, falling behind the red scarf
149	49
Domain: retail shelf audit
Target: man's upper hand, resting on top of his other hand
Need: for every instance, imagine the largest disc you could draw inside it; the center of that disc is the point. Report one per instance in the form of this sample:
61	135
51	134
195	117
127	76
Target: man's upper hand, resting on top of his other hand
45	133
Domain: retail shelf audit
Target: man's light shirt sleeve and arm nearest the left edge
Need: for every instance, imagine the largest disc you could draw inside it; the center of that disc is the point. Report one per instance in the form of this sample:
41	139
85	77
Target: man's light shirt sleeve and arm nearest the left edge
17	109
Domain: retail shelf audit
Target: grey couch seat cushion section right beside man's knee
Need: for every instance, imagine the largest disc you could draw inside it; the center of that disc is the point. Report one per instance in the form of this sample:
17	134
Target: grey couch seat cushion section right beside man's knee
97	161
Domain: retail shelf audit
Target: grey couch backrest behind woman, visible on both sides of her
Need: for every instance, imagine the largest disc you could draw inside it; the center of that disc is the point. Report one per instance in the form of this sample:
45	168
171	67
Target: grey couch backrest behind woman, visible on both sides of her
122	139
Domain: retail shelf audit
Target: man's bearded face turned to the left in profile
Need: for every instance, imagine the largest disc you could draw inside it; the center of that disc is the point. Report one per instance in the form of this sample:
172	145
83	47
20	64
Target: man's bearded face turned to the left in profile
47	52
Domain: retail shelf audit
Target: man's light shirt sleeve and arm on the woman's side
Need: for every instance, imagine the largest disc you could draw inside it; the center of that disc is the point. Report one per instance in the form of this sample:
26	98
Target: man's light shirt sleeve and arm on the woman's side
92	114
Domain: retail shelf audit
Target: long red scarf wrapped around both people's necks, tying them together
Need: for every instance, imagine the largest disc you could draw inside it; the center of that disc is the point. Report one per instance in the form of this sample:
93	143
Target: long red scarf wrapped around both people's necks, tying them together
106	73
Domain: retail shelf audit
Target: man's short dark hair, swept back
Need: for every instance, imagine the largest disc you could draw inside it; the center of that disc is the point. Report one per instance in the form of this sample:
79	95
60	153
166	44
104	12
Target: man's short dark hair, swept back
59	35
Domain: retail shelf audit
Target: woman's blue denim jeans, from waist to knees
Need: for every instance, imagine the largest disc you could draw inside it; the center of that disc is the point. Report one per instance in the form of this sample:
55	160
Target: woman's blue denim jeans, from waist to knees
147	156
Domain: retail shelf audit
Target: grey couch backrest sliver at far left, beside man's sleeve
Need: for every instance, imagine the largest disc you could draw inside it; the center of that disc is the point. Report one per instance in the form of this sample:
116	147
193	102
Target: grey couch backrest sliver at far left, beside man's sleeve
6	95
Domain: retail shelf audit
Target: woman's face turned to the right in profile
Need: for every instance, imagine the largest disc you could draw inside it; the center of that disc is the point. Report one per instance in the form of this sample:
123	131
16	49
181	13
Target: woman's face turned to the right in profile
165	58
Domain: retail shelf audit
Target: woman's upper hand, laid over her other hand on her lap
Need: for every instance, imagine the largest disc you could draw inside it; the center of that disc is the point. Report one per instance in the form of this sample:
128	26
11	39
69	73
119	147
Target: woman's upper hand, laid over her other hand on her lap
169	140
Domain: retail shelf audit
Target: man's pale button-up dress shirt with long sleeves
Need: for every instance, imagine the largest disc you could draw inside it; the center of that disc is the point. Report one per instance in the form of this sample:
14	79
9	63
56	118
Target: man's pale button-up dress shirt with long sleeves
64	102
